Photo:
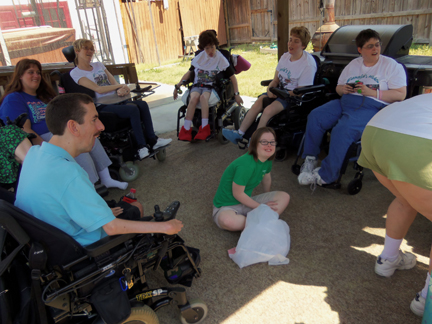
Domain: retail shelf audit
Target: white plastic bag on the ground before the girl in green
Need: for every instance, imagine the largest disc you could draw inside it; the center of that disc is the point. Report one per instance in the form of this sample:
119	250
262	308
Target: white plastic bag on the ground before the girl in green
265	238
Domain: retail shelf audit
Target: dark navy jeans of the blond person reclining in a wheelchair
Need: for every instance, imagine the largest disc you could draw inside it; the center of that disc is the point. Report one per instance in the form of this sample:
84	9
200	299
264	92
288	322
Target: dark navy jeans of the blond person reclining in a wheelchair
137	112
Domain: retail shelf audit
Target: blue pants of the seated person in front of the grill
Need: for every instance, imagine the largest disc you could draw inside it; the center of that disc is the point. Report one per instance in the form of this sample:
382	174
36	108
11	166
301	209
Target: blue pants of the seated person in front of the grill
348	118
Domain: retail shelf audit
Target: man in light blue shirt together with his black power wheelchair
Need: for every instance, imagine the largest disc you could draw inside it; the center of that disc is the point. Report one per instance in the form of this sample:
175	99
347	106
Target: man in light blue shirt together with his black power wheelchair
63	241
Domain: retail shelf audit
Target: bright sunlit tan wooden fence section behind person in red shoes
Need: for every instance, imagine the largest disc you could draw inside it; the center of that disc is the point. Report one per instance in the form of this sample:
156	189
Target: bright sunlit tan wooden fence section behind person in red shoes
155	35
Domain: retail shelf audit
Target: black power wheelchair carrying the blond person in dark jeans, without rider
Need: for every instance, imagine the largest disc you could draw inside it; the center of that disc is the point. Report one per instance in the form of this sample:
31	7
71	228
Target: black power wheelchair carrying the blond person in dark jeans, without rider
117	139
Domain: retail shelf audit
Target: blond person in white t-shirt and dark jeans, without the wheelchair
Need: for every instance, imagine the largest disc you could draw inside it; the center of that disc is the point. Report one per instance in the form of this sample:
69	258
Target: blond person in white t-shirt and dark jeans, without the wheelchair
96	77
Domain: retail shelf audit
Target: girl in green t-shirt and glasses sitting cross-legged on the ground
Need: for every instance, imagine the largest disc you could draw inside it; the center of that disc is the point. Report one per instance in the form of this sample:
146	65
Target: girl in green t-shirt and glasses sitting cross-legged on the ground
233	198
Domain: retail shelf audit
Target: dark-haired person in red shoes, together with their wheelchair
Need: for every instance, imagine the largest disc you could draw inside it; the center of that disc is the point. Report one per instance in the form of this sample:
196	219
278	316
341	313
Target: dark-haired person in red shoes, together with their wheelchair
212	87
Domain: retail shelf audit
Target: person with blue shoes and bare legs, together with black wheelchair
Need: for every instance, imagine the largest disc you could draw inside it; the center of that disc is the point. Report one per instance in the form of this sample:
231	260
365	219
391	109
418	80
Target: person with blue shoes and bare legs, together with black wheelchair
296	69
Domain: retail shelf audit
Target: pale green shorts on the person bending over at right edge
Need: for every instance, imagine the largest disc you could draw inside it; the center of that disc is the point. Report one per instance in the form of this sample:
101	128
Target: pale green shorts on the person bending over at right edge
397	156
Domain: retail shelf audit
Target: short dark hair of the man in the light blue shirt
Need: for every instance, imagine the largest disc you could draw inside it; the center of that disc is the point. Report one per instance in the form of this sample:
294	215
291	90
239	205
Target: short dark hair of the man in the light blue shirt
63	108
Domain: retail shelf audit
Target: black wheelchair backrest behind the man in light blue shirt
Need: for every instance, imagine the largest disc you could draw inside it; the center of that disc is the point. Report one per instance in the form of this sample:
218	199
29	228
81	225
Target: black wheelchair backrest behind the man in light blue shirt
61	248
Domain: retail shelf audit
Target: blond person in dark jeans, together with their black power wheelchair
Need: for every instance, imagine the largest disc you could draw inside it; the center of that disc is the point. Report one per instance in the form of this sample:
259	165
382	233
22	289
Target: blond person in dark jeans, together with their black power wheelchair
129	133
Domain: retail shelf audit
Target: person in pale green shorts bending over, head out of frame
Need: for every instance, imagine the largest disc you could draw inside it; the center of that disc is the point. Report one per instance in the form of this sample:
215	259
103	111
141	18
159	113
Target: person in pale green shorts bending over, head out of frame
396	145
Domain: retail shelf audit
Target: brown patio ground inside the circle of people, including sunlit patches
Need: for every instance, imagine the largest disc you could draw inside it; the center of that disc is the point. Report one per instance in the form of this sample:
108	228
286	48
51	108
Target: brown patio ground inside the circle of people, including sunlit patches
335	239
